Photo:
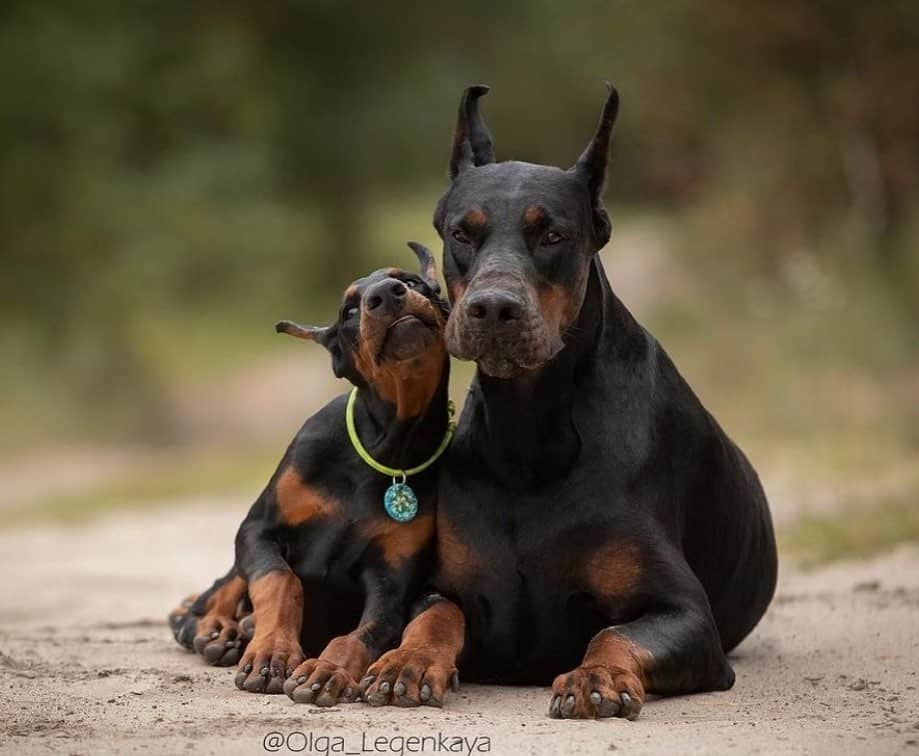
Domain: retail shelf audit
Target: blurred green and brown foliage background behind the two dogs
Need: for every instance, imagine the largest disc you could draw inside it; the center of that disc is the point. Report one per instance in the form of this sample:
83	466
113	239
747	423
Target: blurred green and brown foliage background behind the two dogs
174	177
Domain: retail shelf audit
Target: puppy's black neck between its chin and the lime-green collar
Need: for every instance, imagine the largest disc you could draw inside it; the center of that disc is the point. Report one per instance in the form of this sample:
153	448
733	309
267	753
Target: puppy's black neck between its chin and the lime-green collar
392	438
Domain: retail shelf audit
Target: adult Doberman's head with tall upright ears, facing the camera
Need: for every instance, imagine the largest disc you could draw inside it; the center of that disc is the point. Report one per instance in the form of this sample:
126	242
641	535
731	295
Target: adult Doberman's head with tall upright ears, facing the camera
518	239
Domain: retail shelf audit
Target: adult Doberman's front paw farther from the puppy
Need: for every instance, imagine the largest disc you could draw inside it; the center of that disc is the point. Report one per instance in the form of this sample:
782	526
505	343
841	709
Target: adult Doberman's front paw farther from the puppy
595	692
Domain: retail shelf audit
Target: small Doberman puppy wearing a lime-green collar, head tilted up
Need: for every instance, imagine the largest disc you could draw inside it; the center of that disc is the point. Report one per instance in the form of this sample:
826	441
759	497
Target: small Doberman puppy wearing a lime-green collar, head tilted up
318	555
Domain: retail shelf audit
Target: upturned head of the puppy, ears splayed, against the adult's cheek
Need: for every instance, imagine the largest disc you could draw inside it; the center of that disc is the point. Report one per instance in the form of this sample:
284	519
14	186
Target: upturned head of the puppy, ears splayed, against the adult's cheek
389	335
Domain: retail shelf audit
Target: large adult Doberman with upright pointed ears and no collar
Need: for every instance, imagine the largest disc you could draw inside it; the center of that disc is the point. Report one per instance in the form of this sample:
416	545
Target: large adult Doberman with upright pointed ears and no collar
596	527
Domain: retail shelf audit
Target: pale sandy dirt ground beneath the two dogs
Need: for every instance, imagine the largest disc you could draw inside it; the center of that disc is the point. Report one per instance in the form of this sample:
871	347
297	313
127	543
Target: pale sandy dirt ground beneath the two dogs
88	666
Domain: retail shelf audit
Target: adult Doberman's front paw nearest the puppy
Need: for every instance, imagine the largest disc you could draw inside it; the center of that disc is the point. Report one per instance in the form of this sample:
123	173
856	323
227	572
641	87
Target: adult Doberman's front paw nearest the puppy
409	677
